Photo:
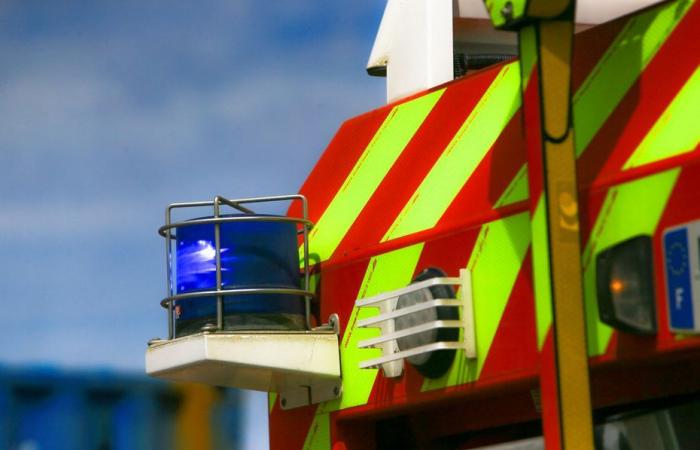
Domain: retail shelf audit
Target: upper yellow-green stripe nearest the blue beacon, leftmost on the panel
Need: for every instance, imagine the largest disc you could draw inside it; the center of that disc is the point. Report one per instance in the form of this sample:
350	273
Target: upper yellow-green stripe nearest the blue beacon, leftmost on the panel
381	153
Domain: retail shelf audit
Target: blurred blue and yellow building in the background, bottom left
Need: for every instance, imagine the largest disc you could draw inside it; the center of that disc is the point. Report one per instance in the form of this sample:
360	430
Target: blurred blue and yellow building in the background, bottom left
50	409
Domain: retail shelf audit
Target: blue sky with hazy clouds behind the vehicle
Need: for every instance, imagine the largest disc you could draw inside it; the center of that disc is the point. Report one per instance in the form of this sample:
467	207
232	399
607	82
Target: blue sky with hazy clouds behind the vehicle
111	110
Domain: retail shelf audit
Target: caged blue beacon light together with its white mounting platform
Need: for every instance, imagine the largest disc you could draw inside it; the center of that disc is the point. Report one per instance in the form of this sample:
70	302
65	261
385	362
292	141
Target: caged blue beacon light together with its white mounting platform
239	303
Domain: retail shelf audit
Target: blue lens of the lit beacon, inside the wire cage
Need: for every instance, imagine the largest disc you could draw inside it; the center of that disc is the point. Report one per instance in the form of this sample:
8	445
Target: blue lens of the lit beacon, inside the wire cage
253	254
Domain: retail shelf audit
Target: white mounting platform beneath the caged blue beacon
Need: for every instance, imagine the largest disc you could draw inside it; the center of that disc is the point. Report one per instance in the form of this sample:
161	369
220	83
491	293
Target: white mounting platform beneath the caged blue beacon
304	367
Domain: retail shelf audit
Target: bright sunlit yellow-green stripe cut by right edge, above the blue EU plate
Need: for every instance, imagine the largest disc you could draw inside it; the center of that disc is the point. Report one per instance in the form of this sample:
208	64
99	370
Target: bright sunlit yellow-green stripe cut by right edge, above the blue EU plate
677	131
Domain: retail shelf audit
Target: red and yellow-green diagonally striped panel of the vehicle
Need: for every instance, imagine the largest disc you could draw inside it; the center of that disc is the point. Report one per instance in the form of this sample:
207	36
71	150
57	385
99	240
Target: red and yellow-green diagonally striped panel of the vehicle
440	180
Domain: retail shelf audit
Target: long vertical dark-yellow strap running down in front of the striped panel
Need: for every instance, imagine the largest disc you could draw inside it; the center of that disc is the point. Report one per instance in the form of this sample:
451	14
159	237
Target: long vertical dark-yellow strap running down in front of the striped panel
562	231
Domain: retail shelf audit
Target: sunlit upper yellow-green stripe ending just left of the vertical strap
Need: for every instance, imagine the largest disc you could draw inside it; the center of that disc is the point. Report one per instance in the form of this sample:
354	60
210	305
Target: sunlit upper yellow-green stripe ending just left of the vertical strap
461	157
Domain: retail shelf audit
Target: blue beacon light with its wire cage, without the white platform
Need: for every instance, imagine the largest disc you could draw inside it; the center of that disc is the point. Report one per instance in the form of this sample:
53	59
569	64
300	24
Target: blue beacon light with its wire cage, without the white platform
259	271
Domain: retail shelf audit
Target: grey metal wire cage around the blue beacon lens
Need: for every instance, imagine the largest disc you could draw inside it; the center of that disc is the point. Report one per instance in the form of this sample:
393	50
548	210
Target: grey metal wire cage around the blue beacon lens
167	232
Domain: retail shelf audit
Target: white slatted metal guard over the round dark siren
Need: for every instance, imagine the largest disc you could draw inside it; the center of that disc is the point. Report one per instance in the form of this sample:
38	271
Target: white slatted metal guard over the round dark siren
392	358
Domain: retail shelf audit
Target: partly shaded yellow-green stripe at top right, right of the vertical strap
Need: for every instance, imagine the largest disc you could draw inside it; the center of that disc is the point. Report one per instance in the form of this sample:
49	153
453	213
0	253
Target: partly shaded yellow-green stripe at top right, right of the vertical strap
620	67
